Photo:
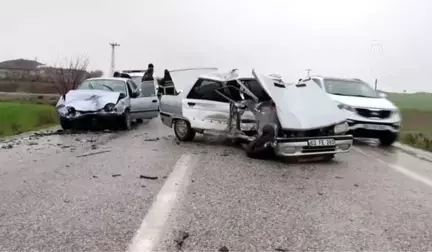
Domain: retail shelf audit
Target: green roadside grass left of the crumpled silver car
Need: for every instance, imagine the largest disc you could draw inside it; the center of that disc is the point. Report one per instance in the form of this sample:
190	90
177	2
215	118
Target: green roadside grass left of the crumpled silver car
18	117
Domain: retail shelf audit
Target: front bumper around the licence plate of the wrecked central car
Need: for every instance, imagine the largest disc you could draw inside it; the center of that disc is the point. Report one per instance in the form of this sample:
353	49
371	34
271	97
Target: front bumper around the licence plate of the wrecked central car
287	147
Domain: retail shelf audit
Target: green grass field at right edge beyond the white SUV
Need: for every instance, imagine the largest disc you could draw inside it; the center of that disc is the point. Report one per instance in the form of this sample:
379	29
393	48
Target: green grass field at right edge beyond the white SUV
416	109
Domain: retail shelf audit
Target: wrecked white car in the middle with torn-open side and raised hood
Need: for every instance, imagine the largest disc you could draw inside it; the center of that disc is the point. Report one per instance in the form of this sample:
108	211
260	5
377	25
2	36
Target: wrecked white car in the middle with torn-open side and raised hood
266	114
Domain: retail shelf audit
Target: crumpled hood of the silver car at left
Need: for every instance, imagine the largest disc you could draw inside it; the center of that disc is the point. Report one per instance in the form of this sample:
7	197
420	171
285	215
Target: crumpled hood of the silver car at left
90	100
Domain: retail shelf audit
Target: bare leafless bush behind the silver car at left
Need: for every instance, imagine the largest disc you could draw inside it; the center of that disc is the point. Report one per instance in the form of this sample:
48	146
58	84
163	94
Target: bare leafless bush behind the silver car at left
70	73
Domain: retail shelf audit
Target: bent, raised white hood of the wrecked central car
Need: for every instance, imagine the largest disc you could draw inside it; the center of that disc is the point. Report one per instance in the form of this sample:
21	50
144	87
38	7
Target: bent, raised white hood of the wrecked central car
301	107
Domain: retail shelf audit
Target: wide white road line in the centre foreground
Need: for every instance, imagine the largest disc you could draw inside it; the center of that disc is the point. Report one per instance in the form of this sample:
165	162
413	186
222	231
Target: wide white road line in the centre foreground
152	227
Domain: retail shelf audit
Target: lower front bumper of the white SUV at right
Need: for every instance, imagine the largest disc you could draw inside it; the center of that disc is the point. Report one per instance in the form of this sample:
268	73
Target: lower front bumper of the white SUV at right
372	129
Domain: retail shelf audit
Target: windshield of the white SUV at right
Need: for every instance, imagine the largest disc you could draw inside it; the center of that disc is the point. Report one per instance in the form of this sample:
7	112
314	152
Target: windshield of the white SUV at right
350	88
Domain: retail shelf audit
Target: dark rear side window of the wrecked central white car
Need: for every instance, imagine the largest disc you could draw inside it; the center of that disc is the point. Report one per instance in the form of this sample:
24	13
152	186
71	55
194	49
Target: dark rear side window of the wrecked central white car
206	90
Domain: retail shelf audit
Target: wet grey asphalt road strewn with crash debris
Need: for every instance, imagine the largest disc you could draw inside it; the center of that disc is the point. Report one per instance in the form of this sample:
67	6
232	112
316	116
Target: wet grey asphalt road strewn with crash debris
85	192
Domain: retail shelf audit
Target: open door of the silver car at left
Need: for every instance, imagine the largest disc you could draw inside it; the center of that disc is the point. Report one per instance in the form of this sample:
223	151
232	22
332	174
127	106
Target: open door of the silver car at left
146	105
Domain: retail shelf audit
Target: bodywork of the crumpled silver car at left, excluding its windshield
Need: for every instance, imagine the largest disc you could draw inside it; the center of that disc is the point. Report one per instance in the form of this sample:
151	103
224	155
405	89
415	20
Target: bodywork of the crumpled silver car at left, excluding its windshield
83	104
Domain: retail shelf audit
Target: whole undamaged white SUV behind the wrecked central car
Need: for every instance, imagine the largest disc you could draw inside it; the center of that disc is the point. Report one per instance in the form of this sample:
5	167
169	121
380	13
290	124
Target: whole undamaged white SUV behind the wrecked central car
370	114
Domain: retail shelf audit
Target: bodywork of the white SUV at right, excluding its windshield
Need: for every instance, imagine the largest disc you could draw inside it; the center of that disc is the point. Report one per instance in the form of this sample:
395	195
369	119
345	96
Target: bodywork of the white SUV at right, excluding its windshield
368	117
